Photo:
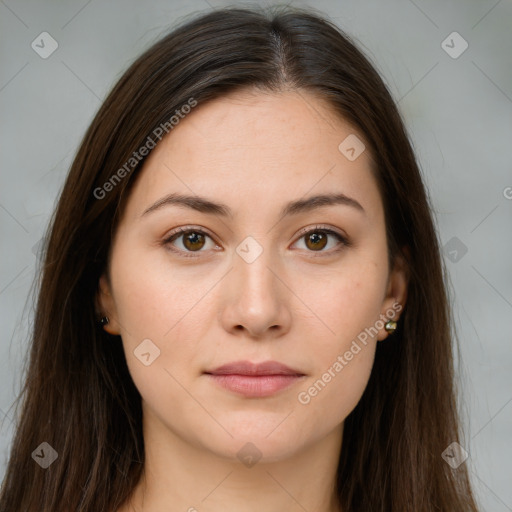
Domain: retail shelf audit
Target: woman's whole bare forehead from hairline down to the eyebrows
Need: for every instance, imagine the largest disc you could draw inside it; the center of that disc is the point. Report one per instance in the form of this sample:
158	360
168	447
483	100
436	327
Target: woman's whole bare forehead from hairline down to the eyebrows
252	148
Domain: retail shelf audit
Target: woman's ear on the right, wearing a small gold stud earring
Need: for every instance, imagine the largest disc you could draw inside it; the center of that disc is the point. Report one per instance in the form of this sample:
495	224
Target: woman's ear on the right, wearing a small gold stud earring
396	293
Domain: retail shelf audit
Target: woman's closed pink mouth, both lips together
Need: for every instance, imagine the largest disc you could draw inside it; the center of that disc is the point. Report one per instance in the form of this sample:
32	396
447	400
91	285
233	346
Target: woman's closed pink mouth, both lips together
254	380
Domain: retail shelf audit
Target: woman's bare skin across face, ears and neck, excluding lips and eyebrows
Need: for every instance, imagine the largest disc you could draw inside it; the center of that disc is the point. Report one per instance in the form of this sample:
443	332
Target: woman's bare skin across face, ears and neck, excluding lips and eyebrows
253	152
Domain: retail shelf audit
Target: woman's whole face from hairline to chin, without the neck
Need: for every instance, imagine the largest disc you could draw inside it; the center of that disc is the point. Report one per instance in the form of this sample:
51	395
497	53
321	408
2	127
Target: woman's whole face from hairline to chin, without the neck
192	286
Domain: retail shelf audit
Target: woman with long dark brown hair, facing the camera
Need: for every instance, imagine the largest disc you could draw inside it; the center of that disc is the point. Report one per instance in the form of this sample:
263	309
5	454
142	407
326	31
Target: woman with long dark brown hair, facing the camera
242	303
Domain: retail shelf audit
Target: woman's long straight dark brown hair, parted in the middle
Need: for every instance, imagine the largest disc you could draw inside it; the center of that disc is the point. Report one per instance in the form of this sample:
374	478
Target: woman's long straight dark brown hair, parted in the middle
78	395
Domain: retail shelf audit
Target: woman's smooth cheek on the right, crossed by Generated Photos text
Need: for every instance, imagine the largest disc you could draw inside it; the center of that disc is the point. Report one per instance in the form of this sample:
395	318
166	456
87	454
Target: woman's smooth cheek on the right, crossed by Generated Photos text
349	307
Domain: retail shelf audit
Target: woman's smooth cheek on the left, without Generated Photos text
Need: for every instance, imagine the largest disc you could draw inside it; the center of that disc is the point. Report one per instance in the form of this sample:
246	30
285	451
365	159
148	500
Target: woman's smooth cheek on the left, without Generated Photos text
157	303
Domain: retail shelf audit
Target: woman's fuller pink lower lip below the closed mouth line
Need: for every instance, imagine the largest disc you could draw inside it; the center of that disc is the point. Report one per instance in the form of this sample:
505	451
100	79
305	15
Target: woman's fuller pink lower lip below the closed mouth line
255	386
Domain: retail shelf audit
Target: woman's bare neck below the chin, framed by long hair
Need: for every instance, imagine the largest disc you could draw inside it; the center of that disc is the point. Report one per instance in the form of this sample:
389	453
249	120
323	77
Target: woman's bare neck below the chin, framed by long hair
179	476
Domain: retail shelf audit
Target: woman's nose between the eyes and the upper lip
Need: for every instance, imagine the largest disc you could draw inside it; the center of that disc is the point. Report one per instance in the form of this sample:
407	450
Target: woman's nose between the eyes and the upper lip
256	299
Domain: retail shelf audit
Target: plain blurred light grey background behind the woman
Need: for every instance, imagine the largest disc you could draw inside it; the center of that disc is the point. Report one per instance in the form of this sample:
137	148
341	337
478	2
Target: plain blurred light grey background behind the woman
458	112
